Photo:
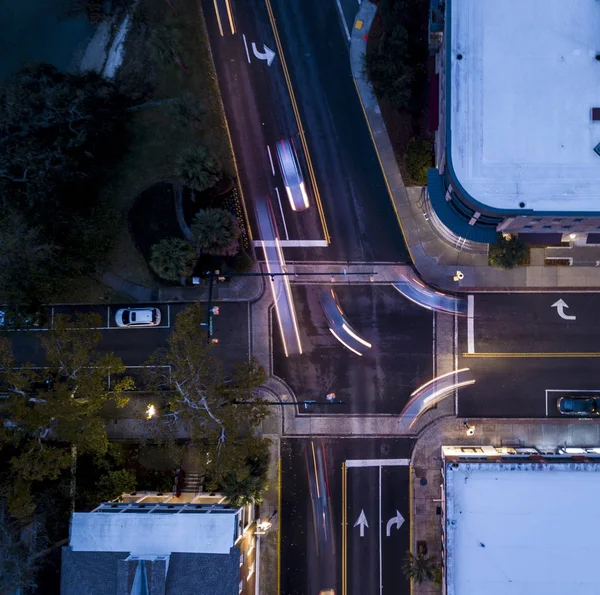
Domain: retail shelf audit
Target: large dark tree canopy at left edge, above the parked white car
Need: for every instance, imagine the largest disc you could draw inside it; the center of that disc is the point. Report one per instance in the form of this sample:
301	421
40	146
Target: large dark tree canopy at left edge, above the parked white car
59	134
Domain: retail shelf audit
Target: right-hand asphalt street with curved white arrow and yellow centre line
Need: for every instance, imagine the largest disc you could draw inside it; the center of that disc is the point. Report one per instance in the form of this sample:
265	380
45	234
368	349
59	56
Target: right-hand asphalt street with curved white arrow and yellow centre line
525	355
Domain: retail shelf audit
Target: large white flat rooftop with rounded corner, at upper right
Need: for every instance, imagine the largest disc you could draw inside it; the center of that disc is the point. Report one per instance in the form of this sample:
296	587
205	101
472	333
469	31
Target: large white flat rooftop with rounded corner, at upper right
521	100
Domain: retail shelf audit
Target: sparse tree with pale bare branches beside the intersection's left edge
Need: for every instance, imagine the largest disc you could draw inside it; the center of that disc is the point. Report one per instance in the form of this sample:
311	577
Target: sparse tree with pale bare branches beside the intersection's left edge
220	407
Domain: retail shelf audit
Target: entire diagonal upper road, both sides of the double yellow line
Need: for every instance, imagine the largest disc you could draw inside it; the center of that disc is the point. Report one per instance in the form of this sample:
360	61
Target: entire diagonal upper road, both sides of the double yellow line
260	110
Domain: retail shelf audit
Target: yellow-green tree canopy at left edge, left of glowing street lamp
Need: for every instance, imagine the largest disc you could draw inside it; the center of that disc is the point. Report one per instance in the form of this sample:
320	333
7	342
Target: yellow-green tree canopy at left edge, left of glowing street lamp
47	411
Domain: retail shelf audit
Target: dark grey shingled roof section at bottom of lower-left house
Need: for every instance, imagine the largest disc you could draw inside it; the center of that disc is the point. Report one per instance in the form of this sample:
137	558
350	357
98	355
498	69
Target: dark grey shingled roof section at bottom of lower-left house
112	573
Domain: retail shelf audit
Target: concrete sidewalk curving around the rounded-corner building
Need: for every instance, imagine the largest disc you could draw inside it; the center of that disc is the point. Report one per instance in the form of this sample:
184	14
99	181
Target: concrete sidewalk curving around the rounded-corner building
437	260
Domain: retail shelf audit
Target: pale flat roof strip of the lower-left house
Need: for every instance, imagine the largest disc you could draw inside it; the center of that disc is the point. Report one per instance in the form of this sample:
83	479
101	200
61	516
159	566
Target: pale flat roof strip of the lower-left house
157	534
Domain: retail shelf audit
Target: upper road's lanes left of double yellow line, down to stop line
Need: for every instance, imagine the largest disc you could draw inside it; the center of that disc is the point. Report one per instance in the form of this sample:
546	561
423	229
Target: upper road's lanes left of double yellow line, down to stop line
259	112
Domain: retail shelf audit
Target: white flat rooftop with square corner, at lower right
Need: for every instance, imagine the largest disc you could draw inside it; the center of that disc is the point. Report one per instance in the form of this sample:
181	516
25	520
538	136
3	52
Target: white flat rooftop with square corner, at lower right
516	529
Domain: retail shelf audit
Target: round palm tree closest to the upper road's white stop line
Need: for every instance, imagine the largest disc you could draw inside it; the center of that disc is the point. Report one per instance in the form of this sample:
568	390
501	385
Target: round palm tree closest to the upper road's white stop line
216	231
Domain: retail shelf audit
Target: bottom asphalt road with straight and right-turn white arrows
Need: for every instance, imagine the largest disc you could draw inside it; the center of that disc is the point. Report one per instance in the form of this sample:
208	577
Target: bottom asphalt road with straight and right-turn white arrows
309	562
